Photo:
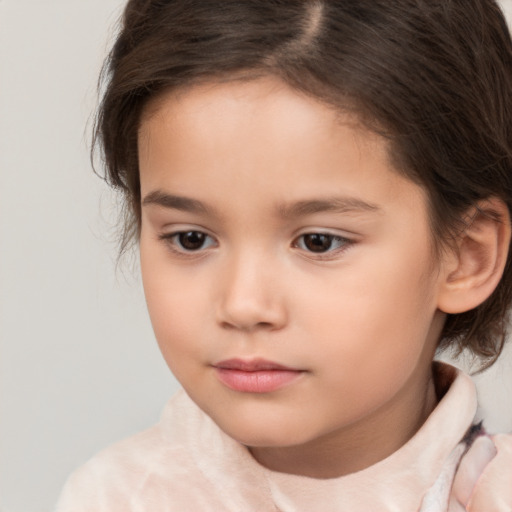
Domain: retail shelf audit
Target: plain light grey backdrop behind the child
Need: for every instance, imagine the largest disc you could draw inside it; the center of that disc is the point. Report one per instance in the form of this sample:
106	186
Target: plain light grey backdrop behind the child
79	368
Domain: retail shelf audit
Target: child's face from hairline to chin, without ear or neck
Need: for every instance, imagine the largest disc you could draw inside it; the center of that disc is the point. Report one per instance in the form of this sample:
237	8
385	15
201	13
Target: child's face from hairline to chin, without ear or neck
287	267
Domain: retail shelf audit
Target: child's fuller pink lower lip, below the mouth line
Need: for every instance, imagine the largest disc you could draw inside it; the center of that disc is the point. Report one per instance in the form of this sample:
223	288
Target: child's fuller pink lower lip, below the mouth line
263	381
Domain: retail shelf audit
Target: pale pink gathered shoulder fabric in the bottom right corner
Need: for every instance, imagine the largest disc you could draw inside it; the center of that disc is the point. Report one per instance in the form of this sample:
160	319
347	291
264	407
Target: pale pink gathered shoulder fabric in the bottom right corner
484	479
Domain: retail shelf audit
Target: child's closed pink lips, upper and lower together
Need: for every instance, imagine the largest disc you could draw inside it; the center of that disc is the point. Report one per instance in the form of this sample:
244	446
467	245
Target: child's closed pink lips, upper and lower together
255	376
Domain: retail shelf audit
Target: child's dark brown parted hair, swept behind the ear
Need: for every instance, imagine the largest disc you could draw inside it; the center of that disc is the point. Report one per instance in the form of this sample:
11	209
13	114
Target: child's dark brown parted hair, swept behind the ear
432	76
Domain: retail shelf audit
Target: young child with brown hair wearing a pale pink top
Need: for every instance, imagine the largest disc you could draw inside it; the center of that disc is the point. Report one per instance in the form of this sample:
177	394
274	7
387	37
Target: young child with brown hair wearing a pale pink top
321	191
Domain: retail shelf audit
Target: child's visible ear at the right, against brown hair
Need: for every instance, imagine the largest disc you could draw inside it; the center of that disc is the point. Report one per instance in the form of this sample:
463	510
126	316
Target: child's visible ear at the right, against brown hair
473	268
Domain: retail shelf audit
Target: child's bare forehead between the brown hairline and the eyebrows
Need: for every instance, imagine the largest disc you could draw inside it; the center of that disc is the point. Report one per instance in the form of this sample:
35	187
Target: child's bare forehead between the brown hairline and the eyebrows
261	135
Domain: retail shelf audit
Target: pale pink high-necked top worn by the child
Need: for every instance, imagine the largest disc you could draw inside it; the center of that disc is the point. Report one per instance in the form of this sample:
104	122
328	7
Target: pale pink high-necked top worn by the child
186	463
